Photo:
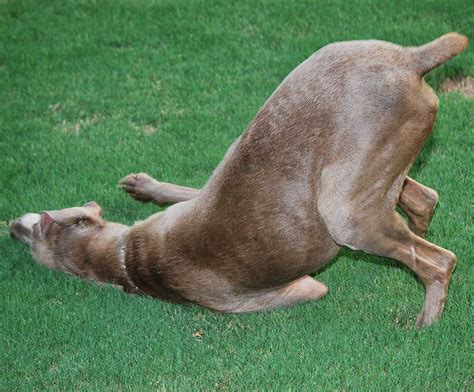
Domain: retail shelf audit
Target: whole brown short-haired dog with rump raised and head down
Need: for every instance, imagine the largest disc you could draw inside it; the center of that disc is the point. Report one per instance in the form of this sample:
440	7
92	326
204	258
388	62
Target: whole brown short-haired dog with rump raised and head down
322	165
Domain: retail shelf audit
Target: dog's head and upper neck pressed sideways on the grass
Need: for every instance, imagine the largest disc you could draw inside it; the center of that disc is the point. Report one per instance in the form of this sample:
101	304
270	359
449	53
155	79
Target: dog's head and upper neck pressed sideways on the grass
75	240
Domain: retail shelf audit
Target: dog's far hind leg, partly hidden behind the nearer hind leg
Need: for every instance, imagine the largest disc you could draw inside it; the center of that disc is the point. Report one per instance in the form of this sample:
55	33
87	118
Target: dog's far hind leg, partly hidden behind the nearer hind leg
418	202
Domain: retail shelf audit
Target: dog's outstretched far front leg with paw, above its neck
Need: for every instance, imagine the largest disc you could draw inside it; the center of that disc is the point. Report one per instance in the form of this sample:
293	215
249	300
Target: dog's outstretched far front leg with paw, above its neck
145	188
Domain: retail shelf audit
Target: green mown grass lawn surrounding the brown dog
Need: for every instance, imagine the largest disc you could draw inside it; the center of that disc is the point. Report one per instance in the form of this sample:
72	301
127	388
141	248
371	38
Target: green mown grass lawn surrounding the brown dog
91	91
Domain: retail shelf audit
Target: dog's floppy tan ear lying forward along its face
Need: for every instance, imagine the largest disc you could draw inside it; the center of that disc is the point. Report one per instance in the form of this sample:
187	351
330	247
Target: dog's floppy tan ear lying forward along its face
70	216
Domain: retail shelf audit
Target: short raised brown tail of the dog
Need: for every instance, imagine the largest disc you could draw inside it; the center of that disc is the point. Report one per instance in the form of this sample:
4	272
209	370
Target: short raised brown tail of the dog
429	56
